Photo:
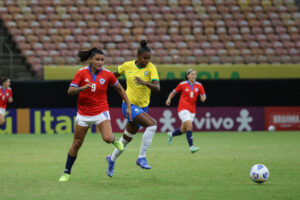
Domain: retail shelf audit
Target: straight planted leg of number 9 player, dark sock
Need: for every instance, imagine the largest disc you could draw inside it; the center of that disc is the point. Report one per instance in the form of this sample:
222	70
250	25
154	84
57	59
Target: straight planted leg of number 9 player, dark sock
79	135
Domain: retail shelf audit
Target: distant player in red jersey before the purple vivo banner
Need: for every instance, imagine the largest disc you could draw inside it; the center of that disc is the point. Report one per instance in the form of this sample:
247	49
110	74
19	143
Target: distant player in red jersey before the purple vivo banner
189	91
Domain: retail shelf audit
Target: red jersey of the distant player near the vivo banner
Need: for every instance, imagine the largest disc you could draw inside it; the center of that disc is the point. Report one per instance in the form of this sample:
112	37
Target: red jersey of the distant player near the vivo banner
189	95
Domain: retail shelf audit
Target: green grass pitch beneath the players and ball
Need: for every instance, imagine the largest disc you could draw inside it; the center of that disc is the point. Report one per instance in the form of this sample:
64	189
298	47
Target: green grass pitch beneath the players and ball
30	166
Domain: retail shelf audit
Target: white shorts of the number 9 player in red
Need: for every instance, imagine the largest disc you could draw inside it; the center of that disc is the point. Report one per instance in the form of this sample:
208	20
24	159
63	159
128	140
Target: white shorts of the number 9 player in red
87	121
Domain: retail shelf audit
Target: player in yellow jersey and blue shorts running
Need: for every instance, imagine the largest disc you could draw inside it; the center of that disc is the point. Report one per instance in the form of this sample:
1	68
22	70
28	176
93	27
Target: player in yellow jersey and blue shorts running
141	78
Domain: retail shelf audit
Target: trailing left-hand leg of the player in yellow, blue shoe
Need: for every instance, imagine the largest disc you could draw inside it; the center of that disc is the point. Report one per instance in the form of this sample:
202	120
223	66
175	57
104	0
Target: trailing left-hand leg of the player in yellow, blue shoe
130	130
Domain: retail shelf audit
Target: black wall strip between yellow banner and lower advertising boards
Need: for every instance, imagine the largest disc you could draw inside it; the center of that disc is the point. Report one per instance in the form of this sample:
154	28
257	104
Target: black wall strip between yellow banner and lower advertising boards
45	94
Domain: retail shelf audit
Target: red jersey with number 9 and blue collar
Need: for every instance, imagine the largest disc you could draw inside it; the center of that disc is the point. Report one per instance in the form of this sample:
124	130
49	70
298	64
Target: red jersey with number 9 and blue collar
93	101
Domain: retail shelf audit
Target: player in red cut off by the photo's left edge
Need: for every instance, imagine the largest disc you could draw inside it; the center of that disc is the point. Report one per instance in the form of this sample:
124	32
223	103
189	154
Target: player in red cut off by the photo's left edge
5	97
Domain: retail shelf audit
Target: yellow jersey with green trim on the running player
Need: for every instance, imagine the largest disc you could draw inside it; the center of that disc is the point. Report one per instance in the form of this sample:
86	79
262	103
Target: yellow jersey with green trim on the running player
138	94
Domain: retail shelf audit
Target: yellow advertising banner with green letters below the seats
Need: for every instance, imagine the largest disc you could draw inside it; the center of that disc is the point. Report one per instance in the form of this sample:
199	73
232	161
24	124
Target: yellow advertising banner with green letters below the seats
203	71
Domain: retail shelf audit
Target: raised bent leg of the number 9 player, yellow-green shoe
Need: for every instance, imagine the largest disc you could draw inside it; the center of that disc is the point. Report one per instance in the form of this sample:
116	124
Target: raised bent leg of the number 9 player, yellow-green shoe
107	135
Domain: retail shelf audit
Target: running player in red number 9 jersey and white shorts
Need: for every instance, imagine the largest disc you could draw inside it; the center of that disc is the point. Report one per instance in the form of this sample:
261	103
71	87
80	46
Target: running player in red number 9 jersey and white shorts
91	84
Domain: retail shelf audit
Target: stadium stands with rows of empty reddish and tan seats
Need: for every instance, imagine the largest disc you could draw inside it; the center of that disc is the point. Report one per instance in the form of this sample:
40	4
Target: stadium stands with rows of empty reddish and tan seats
178	31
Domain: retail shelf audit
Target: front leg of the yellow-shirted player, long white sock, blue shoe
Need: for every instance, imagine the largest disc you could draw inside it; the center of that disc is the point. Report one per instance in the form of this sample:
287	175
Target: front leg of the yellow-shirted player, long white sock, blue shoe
150	124
